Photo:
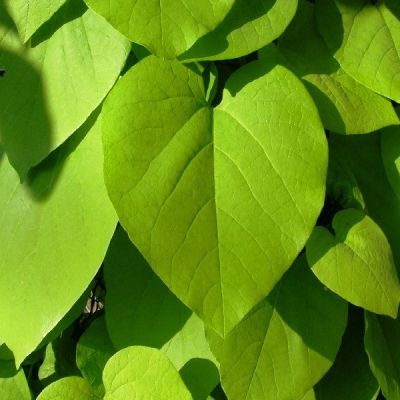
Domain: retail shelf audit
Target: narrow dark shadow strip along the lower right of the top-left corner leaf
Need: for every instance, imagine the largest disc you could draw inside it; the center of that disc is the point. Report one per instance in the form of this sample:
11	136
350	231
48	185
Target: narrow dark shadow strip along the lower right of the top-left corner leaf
69	11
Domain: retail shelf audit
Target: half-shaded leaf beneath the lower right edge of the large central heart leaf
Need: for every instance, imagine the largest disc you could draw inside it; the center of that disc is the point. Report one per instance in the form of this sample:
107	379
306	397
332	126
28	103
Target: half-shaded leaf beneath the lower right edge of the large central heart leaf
284	346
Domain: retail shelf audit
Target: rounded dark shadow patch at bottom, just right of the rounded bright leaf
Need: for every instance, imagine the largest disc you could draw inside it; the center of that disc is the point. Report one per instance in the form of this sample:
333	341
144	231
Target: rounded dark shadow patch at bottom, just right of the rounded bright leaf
201	376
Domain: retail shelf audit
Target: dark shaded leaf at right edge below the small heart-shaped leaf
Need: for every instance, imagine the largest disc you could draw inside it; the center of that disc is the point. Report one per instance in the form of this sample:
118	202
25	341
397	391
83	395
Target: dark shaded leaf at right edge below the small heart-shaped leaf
382	346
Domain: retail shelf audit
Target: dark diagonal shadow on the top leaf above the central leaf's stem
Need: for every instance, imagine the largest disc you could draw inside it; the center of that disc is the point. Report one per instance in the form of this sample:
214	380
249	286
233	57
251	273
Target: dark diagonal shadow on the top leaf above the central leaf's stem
215	42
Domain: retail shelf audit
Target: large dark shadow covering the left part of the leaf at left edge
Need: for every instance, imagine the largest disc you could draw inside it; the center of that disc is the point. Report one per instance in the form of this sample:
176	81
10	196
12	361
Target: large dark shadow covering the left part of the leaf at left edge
25	128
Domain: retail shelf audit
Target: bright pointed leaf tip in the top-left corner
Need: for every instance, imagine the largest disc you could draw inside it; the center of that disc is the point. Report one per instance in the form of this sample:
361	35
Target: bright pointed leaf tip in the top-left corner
30	15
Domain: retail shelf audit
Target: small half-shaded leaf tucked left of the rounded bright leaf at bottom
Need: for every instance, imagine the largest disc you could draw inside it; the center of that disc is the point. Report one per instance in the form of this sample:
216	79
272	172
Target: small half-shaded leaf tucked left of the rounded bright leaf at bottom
92	353
